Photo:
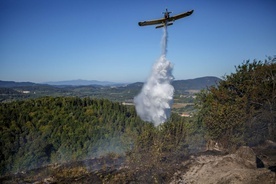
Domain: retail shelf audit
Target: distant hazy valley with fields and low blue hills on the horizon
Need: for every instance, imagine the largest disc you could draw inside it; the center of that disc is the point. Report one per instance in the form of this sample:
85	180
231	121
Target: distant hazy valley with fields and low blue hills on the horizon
184	96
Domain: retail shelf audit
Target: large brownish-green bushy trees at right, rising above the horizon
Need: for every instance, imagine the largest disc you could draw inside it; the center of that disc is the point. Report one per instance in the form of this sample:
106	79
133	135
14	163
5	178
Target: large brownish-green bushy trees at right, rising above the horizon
241	109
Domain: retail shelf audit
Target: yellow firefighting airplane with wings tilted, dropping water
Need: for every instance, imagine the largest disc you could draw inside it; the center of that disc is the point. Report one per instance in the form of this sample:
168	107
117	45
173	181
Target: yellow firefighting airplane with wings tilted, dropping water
167	20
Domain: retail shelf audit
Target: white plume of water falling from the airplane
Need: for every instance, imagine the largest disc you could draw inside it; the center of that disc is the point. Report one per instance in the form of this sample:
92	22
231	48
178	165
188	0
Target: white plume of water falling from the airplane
154	102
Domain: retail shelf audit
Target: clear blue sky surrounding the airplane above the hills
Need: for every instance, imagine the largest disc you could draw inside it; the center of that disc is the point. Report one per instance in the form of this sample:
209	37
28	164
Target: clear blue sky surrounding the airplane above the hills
54	40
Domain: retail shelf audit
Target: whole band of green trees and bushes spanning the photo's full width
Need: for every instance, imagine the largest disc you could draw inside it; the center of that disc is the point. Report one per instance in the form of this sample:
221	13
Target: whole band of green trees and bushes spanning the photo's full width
239	110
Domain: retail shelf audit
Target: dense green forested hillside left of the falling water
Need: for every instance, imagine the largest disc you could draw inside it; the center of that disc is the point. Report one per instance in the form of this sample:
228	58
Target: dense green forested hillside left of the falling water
48	130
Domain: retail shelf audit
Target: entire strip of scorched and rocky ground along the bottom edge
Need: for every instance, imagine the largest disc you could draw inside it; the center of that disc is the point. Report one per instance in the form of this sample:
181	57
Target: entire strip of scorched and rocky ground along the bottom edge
246	165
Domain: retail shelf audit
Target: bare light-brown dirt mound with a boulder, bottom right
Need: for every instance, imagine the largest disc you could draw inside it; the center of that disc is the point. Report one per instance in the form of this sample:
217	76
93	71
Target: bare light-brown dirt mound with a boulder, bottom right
217	169
